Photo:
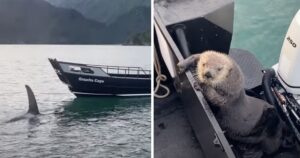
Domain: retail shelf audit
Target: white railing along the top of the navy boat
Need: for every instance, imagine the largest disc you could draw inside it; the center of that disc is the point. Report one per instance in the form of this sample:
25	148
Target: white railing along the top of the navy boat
125	70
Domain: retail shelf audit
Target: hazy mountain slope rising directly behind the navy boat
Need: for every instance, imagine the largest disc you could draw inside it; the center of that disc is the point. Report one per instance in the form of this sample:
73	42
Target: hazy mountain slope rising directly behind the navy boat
126	18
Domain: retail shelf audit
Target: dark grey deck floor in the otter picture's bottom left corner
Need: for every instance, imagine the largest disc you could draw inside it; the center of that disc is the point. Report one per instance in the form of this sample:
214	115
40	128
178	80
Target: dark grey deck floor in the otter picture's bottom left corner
173	135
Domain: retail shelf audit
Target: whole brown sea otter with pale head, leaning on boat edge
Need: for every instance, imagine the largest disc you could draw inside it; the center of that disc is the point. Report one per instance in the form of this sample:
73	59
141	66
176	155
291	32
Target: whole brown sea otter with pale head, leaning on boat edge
250	122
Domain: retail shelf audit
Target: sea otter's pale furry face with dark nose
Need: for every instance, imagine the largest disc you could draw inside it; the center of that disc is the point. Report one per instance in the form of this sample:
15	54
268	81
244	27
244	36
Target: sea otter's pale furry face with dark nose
212	70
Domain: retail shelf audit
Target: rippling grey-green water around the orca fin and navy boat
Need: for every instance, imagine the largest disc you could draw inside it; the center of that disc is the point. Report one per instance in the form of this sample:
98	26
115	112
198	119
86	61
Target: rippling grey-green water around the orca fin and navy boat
70	126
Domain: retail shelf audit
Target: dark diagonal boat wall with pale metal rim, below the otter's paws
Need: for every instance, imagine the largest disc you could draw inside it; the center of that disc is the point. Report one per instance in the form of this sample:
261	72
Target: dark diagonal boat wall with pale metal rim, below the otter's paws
203	121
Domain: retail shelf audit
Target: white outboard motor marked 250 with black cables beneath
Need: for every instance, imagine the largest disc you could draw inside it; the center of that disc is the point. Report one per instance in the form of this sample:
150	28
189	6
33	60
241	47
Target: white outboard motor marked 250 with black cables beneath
282	83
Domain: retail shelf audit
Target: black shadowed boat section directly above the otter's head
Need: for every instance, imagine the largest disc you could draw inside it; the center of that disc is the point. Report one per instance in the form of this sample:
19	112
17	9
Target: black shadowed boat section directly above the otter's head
199	37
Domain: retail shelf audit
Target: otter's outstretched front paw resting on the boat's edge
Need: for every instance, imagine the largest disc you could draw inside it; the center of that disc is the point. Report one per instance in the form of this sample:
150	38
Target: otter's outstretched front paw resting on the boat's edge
186	63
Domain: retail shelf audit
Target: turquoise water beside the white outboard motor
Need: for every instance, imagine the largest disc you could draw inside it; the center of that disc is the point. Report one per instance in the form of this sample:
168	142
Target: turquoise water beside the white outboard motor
260	27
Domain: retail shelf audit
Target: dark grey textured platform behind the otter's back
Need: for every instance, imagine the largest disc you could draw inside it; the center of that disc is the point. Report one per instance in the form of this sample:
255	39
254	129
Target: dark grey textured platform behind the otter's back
251	67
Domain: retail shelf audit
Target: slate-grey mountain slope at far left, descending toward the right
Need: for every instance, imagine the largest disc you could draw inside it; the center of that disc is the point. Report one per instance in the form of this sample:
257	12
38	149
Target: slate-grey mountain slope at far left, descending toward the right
38	22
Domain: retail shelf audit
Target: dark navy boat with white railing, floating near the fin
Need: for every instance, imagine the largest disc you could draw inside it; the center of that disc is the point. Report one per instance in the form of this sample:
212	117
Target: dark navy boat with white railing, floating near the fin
93	80
